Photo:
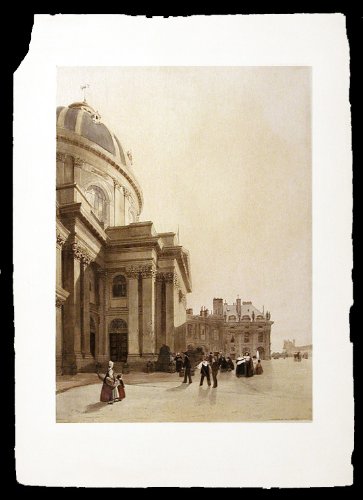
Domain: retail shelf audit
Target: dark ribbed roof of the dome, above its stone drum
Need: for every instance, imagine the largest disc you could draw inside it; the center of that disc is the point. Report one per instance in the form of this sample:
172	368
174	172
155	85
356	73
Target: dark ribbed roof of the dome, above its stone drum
83	120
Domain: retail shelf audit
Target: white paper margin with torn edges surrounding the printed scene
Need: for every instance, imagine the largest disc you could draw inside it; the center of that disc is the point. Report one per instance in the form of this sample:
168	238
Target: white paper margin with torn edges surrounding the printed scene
283	455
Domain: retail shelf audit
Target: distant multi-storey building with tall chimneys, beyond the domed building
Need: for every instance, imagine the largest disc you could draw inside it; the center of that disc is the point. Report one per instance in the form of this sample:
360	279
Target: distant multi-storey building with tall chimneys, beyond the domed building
230	328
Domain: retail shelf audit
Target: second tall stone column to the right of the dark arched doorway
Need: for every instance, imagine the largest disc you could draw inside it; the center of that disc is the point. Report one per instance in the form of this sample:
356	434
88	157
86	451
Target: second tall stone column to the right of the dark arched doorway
148	274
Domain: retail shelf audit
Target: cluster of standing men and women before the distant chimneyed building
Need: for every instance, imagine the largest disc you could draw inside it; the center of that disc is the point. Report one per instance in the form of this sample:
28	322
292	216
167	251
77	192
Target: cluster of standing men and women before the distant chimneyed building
210	365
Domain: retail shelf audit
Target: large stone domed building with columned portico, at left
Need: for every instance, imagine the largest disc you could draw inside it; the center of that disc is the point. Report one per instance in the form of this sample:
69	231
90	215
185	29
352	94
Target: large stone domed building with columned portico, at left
121	286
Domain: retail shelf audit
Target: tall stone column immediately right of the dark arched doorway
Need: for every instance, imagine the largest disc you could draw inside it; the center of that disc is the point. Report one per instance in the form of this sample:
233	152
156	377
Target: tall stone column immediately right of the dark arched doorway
133	305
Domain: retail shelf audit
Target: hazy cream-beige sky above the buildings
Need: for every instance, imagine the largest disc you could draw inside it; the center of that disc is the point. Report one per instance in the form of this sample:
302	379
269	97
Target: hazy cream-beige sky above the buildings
225	154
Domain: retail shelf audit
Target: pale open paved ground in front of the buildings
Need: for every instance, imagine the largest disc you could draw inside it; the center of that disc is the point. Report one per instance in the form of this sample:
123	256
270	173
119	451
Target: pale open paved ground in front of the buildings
282	392
